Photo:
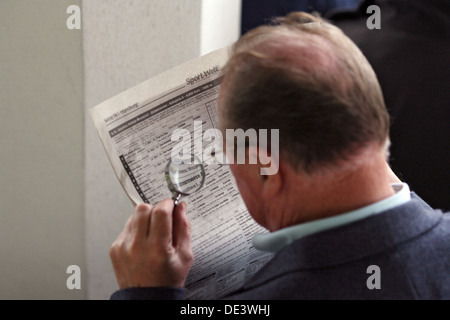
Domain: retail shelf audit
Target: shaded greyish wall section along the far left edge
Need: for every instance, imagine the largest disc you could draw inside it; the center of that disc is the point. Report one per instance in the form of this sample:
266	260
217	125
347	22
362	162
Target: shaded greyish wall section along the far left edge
41	150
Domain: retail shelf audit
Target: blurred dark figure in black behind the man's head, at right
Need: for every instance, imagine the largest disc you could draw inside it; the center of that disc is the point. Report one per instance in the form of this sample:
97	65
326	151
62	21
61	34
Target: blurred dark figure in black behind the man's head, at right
410	55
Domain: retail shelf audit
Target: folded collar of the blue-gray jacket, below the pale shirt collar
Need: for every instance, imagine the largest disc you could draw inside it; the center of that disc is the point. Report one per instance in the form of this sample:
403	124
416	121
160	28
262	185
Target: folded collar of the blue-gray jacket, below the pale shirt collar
360	239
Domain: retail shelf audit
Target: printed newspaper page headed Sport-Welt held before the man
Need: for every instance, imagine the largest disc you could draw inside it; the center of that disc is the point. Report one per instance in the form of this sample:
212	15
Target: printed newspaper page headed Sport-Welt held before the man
135	128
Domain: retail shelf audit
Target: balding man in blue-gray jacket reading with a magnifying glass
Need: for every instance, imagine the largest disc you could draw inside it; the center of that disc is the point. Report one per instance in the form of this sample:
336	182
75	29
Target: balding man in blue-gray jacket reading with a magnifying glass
333	215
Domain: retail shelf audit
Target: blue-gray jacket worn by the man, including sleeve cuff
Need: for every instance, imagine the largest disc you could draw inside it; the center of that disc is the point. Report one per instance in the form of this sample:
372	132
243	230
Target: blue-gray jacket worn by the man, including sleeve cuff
405	251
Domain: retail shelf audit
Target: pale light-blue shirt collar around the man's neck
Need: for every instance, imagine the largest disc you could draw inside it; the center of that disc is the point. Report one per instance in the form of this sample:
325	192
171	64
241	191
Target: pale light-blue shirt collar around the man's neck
274	241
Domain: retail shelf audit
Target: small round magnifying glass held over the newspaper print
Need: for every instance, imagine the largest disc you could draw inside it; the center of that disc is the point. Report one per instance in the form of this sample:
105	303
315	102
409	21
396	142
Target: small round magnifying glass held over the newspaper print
184	175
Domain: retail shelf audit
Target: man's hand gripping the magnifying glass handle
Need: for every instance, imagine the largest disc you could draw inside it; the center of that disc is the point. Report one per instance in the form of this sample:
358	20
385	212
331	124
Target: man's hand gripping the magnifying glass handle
154	248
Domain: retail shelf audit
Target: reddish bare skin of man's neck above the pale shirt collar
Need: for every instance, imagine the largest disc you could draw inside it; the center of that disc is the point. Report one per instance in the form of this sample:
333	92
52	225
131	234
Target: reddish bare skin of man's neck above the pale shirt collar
331	194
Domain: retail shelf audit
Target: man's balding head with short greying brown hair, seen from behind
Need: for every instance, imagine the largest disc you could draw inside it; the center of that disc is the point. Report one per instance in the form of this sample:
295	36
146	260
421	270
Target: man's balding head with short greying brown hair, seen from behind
304	77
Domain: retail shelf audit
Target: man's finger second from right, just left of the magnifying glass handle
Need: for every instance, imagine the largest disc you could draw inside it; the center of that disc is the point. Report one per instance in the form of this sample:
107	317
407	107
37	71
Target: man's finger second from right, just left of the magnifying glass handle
161	223
